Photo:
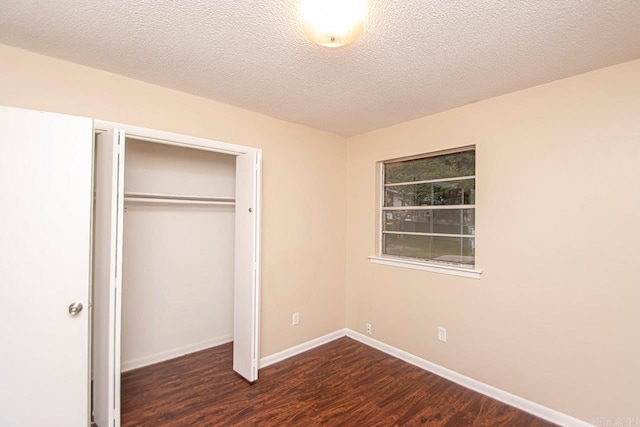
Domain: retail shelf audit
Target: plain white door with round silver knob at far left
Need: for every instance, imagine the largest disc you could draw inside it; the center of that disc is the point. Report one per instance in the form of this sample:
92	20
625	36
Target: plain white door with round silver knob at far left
45	182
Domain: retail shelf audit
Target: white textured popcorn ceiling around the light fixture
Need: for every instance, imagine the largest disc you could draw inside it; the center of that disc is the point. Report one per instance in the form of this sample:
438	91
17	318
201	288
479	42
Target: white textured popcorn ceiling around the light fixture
415	57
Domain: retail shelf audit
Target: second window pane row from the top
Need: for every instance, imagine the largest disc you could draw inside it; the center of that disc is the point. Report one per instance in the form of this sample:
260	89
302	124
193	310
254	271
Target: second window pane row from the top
460	192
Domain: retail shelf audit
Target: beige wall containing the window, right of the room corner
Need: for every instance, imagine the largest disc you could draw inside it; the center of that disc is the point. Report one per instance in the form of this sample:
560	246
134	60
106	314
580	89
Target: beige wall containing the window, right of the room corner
555	317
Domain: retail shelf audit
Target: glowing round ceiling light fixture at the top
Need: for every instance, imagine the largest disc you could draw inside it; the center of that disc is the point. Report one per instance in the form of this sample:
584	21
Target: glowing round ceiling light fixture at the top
332	23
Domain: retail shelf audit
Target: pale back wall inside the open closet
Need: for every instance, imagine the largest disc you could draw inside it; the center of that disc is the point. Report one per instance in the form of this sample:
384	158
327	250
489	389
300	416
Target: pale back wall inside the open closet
178	259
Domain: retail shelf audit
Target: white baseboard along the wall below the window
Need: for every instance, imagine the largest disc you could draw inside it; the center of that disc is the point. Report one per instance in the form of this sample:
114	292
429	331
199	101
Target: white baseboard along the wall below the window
493	392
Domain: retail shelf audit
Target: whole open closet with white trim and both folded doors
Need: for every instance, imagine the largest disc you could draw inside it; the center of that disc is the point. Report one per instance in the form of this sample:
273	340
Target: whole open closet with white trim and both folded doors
176	254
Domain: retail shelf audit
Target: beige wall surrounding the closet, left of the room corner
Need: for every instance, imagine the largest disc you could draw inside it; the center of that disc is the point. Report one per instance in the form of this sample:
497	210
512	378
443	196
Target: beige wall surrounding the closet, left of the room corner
303	250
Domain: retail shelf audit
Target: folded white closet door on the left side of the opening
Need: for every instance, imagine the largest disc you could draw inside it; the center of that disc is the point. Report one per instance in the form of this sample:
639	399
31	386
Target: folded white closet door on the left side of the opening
108	234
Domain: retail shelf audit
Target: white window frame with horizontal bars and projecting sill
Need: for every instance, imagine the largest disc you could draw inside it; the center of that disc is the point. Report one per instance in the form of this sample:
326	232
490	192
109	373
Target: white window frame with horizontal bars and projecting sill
411	263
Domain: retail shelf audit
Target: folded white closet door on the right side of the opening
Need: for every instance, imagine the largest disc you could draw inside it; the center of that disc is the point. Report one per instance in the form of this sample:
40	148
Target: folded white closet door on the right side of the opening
246	283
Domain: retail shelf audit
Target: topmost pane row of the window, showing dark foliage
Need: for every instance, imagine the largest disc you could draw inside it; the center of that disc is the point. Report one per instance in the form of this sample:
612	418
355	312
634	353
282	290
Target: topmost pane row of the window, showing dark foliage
436	167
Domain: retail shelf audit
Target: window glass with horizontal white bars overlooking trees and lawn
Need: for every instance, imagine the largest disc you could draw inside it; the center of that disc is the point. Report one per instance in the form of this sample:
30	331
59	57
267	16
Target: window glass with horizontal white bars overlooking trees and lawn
427	208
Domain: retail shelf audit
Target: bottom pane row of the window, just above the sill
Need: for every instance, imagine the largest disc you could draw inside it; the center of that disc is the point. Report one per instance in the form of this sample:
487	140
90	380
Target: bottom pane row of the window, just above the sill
458	250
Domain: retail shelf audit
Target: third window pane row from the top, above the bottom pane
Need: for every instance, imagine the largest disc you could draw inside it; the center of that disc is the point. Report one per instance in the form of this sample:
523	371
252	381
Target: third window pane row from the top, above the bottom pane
445	221
